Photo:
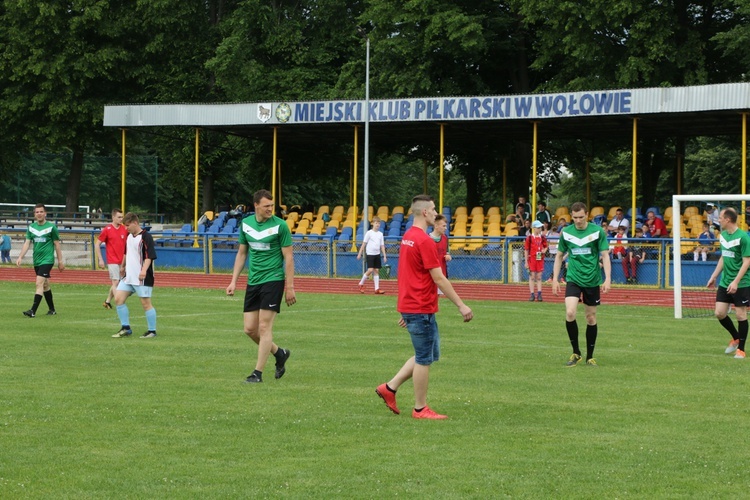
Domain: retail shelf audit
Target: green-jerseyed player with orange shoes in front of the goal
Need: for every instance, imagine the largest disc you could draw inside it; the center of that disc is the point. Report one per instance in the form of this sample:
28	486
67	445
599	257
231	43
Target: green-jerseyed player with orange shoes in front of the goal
734	287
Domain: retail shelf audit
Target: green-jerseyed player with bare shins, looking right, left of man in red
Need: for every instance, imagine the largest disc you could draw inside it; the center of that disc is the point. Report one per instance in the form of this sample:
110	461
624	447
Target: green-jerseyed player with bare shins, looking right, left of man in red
267	241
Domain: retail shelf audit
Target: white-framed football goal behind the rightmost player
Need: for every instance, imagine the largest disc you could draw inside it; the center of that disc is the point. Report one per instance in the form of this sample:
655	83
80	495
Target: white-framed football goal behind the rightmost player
690	271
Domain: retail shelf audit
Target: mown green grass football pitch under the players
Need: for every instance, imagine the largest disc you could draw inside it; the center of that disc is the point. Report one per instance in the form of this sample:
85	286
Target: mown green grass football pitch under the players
83	415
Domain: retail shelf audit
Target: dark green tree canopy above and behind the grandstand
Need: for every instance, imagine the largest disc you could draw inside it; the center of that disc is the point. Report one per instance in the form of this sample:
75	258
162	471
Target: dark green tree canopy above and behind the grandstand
61	62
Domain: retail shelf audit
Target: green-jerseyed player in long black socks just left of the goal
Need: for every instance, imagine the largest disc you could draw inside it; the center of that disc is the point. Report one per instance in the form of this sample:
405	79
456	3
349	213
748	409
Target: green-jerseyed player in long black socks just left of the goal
585	244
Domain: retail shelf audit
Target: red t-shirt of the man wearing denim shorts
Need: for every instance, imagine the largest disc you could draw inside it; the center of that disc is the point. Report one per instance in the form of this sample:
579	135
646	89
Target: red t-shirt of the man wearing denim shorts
417	293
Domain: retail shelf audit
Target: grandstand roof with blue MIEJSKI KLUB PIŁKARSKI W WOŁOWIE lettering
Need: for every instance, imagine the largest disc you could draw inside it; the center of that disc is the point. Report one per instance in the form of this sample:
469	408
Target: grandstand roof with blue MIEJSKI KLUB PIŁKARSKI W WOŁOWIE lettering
662	112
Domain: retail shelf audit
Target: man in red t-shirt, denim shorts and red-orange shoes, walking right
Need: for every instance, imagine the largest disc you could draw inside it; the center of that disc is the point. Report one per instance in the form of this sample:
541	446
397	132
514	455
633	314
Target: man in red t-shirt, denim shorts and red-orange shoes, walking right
419	276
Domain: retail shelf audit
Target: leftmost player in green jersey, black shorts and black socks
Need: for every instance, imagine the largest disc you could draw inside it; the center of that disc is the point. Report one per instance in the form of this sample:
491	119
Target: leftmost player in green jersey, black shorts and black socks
46	240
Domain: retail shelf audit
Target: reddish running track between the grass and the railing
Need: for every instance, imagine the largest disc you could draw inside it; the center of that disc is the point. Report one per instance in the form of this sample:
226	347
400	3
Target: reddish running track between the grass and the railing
619	295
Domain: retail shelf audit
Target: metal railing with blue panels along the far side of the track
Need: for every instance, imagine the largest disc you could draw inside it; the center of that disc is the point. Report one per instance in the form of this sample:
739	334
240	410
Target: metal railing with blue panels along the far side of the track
473	258
